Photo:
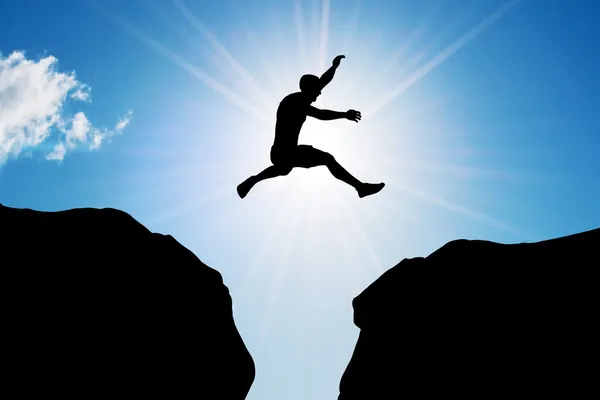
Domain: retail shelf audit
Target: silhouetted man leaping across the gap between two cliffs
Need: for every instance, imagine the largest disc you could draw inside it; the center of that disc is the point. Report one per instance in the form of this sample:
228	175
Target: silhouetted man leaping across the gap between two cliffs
287	154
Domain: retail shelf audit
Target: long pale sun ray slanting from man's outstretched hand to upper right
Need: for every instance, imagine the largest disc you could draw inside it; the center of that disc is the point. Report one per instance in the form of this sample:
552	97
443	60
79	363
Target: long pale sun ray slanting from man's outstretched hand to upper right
442	56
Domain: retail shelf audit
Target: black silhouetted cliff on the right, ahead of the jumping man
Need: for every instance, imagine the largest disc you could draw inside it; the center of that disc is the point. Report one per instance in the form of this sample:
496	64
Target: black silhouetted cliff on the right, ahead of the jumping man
479	319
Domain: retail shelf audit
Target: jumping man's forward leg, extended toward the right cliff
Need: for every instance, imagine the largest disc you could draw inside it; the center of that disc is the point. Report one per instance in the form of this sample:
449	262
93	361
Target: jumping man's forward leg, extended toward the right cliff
308	157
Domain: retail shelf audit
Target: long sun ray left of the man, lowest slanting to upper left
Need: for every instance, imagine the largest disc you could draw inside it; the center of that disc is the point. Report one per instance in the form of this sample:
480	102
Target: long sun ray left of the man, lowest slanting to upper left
184	64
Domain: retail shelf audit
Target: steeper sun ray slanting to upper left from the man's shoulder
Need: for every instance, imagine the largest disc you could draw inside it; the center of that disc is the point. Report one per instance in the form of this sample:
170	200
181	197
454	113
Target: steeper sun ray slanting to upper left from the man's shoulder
223	52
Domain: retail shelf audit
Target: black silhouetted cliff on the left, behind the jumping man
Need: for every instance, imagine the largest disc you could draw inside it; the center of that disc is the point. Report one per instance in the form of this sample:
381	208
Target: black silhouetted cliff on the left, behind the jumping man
95	305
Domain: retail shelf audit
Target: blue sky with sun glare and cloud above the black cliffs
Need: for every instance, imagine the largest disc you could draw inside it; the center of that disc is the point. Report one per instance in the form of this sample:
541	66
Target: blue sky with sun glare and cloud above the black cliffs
480	116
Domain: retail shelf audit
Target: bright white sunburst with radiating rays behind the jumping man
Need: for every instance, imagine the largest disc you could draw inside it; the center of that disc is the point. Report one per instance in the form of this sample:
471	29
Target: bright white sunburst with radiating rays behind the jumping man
309	207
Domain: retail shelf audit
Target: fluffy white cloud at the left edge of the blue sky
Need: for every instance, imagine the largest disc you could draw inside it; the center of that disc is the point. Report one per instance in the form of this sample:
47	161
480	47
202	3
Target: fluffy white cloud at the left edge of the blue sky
32	99
